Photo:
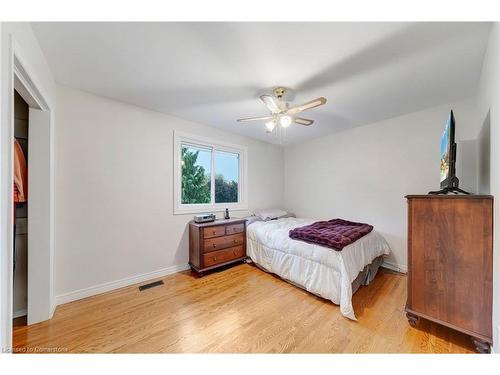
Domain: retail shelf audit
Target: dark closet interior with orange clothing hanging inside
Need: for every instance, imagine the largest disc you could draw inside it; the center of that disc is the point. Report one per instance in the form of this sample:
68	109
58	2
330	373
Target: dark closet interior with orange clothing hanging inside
20	214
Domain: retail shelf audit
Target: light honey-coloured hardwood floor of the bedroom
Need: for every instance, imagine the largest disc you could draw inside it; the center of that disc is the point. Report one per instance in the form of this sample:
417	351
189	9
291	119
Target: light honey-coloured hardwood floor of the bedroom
238	310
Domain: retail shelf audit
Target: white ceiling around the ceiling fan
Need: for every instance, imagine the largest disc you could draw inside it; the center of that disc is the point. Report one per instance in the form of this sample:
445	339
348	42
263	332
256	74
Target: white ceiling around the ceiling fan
213	73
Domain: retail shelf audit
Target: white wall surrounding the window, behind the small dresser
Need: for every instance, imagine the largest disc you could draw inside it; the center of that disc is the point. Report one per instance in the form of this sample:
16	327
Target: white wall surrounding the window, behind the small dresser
114	189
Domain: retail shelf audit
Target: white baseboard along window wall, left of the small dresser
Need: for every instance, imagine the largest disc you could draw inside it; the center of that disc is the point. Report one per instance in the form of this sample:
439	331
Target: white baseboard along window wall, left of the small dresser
106	287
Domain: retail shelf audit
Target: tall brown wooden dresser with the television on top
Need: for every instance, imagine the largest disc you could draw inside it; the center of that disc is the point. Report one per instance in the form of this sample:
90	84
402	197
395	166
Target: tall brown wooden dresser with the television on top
450	263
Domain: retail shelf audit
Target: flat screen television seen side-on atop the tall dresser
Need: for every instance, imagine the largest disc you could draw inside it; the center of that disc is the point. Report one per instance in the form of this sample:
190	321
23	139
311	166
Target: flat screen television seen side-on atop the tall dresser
449	180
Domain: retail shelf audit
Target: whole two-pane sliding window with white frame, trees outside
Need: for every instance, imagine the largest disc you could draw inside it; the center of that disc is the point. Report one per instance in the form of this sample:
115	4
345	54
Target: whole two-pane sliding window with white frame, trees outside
209	175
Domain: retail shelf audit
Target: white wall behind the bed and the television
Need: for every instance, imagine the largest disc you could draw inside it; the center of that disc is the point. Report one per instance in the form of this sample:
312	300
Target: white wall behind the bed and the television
363	174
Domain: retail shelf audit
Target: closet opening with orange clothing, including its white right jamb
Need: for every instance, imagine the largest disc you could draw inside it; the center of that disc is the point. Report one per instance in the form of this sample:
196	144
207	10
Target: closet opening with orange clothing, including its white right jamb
31	194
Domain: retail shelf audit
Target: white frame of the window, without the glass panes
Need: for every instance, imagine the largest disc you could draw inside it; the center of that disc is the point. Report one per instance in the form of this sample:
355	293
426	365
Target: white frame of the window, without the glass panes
214	145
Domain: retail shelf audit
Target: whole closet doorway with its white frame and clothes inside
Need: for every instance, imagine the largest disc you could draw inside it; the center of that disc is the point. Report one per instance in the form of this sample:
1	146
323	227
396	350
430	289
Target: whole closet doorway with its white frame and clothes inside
26	291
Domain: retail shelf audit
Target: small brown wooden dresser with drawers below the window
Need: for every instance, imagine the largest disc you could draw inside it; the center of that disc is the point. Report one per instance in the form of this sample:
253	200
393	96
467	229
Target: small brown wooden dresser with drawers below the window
216	243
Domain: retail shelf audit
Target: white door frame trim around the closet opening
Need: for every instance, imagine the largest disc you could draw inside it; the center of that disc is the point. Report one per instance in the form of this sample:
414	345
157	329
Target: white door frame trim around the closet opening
21	78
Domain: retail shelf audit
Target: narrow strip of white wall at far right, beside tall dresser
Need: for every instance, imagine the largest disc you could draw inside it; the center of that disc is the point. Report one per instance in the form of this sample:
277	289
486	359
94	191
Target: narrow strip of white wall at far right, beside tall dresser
488	109
